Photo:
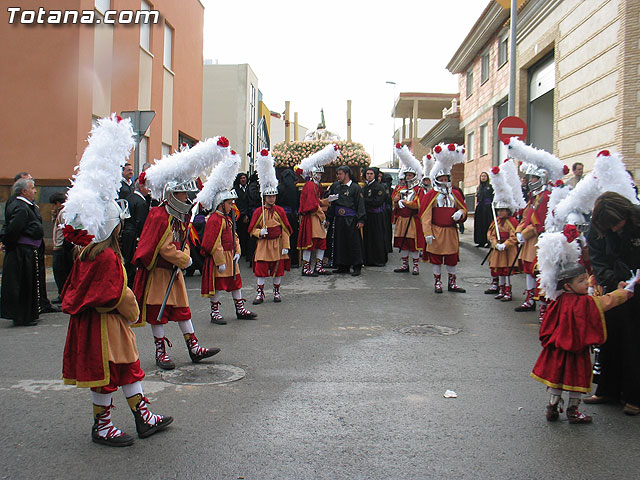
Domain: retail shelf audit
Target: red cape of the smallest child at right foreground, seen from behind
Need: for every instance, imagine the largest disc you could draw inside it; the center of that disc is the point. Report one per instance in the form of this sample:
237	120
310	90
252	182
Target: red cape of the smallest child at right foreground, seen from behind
570	326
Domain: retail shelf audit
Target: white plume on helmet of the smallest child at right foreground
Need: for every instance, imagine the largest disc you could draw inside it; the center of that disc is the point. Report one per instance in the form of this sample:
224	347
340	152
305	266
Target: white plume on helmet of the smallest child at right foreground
555	253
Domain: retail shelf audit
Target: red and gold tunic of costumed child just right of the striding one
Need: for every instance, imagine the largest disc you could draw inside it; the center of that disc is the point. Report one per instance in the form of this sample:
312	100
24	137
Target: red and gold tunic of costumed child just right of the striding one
219	245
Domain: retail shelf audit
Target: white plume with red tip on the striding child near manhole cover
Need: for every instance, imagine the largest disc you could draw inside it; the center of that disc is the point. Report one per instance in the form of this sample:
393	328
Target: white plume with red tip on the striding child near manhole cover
185	165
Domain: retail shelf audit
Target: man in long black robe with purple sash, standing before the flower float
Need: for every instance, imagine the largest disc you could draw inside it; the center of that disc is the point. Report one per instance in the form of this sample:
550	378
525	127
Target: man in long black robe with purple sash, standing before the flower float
347	214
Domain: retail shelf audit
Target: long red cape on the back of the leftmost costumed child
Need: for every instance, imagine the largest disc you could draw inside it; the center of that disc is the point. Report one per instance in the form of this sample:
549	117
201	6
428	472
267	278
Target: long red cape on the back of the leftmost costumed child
93	288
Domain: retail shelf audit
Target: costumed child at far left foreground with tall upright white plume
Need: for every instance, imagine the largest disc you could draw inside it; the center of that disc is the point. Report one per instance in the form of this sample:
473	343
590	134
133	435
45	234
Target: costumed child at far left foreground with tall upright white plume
100	350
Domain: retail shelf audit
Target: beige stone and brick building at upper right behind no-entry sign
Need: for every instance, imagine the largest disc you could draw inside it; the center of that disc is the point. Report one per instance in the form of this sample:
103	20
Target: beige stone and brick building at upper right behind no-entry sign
577	84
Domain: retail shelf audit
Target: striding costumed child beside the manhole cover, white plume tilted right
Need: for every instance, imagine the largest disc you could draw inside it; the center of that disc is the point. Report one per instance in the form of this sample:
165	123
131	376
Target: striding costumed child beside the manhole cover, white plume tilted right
163	246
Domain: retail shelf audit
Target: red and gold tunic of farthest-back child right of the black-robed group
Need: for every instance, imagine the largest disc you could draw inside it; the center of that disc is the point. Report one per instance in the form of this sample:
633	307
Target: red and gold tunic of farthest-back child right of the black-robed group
407	219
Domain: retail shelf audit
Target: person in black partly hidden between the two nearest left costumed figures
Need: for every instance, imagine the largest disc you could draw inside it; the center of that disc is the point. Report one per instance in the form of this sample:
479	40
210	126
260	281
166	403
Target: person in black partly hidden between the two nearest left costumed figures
139	202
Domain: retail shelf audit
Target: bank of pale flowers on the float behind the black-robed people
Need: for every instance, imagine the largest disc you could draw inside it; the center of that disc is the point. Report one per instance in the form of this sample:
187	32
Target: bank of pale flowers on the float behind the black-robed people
287	155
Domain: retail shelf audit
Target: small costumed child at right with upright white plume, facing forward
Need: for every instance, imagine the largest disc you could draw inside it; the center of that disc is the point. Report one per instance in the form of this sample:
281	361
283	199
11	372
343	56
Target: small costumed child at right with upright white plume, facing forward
504	242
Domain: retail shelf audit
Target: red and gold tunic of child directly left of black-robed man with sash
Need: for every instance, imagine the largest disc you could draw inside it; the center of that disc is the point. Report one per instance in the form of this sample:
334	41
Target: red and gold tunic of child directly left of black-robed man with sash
312	234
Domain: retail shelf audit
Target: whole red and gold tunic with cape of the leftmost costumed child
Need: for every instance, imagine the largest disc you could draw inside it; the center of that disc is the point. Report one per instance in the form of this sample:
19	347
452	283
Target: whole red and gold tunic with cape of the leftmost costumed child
99	336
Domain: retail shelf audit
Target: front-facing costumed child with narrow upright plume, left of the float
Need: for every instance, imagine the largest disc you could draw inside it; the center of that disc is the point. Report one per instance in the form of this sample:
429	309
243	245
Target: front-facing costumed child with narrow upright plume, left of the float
269	224
